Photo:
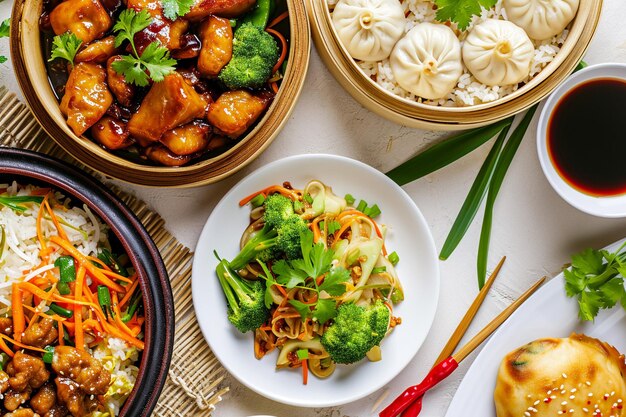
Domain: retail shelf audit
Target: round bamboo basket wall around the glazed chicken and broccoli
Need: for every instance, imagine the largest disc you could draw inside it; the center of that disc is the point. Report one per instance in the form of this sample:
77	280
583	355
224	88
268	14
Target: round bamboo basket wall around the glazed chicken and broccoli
28	62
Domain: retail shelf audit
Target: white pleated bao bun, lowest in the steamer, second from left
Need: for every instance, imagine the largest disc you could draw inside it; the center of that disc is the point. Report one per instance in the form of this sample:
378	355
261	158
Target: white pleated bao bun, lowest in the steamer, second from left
427	61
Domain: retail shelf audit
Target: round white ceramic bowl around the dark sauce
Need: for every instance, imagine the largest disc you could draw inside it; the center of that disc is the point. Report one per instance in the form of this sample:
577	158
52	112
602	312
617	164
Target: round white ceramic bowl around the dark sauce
614	206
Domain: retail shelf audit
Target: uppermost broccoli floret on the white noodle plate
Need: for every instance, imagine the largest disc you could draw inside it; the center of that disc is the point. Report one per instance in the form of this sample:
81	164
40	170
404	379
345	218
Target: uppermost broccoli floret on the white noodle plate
280	234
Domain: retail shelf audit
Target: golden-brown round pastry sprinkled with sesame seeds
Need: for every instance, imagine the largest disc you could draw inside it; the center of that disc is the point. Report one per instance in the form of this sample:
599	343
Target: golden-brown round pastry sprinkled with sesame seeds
576	376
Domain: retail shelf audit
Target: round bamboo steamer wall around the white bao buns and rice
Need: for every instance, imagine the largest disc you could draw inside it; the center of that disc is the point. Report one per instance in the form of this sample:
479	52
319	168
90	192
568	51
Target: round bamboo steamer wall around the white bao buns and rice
410	113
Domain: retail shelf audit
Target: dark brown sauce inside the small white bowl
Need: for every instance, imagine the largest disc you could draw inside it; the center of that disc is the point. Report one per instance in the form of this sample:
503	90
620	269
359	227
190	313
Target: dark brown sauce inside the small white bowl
587	137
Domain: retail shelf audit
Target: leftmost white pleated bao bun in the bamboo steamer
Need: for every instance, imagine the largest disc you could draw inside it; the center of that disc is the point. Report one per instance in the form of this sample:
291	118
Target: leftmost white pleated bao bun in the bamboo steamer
369	28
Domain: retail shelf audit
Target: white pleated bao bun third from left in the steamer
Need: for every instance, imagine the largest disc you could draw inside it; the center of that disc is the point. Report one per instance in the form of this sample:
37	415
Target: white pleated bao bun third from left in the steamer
498	52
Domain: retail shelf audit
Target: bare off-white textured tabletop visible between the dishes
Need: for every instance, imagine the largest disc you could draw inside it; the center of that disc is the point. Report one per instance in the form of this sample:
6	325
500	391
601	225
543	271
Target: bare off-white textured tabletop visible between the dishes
533	226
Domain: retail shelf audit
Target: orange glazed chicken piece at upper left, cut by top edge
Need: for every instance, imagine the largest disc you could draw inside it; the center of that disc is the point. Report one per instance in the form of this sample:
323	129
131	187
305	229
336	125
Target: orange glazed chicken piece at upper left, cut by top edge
87	19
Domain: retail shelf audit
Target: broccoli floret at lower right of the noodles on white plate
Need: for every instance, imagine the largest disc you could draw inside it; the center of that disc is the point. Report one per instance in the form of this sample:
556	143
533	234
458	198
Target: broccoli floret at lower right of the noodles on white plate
355	331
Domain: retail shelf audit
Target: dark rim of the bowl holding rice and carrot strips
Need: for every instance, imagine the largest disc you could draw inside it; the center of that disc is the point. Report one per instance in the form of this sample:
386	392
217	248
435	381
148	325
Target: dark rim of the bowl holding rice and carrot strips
29	167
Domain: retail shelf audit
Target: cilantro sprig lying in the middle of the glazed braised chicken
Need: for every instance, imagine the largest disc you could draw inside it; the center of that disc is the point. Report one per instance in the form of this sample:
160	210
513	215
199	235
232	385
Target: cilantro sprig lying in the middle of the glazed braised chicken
154	62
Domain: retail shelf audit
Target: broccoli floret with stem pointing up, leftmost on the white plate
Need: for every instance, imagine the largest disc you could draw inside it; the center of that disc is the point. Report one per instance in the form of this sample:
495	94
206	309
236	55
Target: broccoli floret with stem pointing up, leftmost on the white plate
245	299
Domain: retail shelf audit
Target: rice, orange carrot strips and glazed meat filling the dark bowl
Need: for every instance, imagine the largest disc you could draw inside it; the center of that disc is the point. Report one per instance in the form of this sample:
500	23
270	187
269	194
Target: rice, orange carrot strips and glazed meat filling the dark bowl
68	305
